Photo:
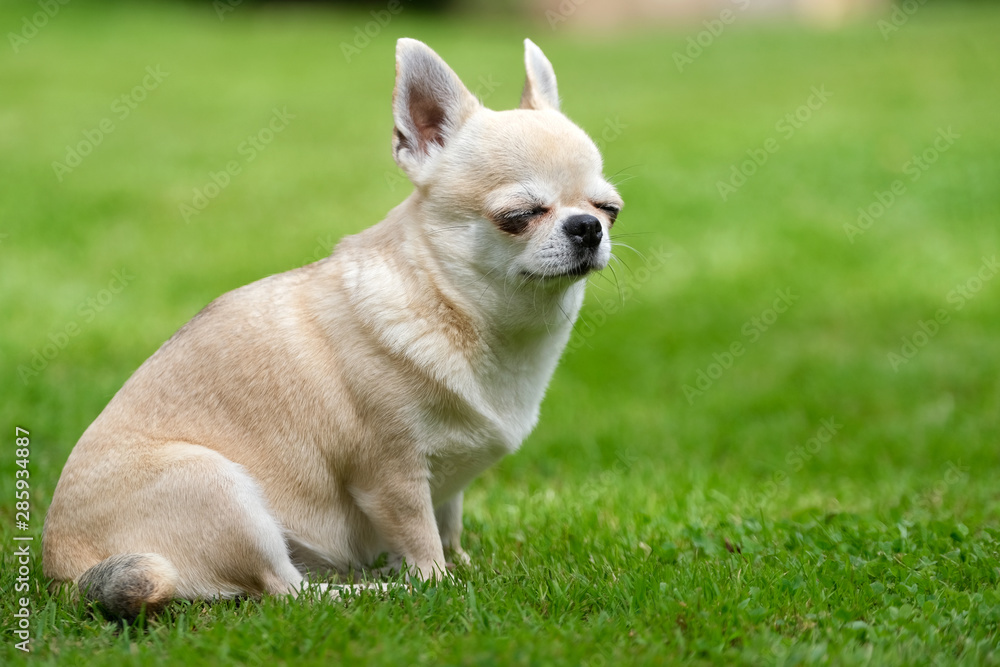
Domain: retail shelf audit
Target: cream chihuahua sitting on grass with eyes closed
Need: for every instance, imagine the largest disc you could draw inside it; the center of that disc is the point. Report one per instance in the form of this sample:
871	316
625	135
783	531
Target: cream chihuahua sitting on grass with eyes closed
316	419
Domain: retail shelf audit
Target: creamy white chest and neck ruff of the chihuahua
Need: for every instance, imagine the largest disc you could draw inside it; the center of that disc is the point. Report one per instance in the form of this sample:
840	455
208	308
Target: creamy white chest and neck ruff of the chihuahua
468	400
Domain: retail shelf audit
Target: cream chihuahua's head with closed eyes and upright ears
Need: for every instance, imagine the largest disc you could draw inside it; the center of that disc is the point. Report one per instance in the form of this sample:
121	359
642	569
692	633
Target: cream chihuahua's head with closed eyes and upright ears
513	193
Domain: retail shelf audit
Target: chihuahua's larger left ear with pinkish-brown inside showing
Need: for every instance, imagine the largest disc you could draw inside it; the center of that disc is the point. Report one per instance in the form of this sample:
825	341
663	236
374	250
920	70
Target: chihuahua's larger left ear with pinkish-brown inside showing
429	104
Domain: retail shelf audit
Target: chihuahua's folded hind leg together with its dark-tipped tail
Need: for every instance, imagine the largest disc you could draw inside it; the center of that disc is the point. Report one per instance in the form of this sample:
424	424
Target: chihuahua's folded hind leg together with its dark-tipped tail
197	527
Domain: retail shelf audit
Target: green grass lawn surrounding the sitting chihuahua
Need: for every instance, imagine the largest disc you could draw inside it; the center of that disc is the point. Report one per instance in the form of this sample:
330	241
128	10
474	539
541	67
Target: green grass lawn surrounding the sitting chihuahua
635	525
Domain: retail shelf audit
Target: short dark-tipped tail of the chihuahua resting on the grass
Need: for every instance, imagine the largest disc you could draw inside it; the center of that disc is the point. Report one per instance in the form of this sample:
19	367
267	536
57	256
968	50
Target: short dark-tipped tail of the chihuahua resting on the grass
124	584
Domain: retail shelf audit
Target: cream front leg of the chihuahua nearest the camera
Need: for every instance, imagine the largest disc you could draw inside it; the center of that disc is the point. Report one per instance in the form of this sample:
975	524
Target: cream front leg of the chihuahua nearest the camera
400	508
